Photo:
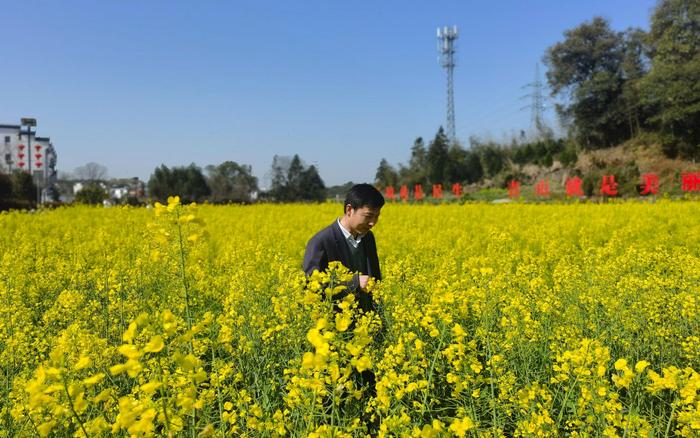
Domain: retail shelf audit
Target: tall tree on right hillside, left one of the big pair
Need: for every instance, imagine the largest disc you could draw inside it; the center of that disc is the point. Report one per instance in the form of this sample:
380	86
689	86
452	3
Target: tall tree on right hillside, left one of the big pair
586	70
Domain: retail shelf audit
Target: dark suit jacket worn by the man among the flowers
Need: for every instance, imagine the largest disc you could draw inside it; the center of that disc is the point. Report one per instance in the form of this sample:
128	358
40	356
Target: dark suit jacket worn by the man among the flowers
329	245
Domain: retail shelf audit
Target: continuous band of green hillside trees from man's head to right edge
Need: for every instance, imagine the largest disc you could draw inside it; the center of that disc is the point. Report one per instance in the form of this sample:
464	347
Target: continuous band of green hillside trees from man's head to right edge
611	86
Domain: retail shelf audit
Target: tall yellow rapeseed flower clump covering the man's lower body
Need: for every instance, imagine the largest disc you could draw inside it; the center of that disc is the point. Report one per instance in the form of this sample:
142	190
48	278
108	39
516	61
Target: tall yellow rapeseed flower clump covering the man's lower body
326	382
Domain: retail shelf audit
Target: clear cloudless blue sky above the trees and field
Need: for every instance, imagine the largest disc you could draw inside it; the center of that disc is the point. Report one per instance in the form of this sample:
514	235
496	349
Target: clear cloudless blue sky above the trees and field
135	84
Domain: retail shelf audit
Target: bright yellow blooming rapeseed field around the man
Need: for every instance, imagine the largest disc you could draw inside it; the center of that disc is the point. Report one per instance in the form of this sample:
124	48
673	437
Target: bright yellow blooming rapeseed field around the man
494	320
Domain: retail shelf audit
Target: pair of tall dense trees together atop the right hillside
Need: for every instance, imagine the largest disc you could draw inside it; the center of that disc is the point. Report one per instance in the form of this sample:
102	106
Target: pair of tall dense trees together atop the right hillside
614	85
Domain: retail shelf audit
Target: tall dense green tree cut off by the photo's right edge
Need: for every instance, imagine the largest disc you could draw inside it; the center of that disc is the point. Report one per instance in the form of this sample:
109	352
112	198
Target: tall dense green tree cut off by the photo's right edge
672	86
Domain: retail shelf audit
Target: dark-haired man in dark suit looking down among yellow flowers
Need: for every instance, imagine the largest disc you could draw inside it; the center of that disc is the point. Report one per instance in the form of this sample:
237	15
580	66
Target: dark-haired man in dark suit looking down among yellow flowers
350	241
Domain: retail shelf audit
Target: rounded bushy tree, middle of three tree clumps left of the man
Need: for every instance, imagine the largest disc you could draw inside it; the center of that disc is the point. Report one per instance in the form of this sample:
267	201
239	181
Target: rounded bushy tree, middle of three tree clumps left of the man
231	182
